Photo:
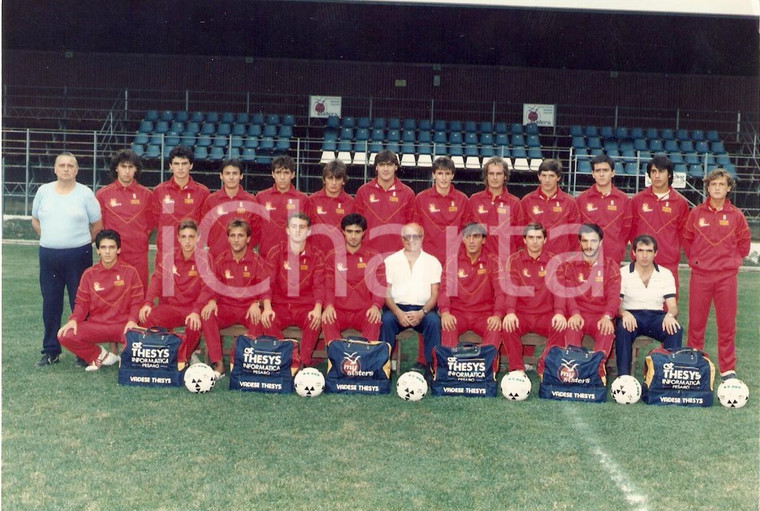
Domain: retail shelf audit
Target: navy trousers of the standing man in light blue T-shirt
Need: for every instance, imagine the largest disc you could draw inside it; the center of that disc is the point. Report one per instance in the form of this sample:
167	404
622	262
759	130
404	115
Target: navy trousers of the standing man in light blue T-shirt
59	268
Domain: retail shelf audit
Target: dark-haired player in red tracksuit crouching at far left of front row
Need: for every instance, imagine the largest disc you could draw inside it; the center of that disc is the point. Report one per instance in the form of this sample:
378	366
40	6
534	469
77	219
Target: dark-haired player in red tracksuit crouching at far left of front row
107	304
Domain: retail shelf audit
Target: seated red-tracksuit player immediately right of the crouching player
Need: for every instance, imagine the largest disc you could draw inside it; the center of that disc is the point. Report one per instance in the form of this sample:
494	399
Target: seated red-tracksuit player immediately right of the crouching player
181	301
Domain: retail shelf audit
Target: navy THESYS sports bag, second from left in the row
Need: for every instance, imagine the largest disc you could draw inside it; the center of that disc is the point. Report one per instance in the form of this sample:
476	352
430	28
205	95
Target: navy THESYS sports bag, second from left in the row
264	364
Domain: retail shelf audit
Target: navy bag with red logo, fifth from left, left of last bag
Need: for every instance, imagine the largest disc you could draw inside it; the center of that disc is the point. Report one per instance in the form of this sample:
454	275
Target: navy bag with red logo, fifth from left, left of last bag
573	373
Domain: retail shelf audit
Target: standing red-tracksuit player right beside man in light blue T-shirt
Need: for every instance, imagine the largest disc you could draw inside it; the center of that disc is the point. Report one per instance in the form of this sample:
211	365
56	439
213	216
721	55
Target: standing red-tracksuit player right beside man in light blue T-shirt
128	209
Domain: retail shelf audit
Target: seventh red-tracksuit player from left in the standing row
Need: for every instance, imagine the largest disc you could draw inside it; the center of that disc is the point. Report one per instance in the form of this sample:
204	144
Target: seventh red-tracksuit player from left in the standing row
442	211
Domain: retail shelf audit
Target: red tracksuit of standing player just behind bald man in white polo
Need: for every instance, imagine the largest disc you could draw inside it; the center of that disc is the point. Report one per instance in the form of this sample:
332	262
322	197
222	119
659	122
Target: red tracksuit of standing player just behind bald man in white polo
386	212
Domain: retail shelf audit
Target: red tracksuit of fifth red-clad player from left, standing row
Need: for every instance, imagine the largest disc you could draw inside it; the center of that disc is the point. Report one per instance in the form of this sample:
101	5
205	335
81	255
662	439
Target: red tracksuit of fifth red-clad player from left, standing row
326	213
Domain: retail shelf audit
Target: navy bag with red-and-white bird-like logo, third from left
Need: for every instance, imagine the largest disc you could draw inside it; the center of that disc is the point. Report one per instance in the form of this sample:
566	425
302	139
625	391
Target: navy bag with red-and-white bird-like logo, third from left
358	366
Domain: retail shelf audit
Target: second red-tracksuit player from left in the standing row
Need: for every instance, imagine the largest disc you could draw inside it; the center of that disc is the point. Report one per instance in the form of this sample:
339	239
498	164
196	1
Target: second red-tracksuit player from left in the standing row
179	197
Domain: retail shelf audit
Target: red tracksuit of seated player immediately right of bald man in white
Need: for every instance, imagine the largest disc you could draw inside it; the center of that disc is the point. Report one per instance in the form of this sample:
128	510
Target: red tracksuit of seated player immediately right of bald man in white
472	292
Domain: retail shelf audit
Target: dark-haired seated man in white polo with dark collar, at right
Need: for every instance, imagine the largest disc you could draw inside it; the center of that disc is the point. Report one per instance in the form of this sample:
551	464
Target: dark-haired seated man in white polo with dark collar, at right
645	286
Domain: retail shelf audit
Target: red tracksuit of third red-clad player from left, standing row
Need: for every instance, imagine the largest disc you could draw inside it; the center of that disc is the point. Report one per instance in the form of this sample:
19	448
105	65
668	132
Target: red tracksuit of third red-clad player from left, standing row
225	209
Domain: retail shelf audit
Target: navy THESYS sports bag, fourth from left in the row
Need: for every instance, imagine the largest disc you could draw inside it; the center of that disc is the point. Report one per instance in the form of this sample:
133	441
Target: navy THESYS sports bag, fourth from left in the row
465	370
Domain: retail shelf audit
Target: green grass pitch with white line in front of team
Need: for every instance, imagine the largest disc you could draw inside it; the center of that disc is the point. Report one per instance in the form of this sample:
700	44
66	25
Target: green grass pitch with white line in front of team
76	440
